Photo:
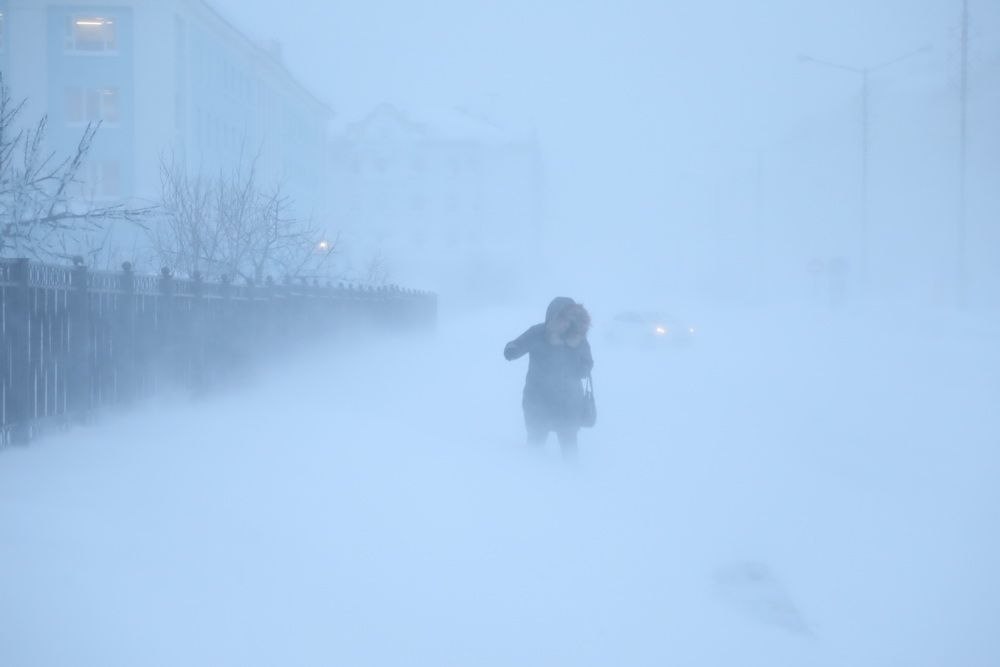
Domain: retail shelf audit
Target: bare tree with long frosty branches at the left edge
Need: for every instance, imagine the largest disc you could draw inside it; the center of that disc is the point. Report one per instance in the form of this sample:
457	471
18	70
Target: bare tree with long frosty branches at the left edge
41	214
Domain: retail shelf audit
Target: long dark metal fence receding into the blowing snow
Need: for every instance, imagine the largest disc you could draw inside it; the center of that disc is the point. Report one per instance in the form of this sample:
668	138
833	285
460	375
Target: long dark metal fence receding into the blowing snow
75	340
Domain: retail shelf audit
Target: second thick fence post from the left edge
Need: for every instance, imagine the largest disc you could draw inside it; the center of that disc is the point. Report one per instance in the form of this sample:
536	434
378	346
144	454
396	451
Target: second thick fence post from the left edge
81	362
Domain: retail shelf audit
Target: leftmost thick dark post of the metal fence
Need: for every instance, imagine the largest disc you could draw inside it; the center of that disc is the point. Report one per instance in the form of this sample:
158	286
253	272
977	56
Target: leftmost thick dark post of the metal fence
18	319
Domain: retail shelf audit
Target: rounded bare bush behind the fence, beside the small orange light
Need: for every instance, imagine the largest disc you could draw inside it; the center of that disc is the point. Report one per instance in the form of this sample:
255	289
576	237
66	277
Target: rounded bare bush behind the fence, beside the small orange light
231	224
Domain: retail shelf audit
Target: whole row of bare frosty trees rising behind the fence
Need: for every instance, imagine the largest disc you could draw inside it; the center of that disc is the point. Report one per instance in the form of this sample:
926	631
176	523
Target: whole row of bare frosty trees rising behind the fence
230	225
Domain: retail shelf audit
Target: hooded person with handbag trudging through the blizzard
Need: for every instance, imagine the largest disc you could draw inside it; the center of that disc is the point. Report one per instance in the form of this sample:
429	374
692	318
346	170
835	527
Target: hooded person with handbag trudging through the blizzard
558	359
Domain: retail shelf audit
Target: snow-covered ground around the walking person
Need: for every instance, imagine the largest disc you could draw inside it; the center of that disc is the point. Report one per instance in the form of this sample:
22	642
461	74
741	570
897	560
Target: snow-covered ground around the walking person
798	488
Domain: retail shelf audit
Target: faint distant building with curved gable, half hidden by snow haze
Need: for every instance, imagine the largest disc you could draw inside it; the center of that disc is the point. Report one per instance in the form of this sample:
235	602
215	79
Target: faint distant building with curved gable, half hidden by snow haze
436	189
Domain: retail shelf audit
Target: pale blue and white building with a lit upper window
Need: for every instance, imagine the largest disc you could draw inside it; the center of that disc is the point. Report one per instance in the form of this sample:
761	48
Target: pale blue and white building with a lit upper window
167	79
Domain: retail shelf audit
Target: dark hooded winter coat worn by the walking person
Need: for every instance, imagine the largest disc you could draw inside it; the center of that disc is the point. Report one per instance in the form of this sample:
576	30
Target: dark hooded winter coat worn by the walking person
553	393
